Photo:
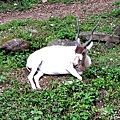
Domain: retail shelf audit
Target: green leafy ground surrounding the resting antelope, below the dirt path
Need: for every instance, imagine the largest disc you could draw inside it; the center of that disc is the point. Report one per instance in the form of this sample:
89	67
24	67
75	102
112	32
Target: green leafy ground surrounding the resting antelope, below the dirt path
96	97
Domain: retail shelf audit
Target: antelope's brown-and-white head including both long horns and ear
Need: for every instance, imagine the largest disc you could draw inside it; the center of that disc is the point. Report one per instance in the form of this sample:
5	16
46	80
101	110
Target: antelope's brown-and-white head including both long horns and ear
81	50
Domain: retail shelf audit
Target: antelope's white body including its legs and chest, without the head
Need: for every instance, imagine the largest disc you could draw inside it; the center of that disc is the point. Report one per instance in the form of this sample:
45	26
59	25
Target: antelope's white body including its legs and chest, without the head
52	60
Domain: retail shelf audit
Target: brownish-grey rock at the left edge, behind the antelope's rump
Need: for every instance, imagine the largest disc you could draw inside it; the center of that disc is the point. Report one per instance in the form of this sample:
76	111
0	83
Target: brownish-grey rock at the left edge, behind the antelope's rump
15	45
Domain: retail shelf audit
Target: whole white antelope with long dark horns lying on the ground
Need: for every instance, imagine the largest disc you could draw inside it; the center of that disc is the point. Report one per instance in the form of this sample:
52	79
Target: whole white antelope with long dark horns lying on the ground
54	60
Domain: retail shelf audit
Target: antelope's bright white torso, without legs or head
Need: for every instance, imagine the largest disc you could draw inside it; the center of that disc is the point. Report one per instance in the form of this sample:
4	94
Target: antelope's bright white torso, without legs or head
54	59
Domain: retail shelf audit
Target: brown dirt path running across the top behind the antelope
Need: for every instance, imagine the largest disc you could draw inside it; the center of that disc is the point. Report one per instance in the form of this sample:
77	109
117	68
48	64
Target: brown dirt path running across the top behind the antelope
47	10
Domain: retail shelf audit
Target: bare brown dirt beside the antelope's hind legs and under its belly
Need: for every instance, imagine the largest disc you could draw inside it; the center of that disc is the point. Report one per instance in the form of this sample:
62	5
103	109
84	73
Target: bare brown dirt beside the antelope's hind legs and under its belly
22	73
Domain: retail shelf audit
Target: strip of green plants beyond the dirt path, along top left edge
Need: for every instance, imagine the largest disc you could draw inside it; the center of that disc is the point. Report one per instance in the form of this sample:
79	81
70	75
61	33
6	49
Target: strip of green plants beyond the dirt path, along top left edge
15	5
